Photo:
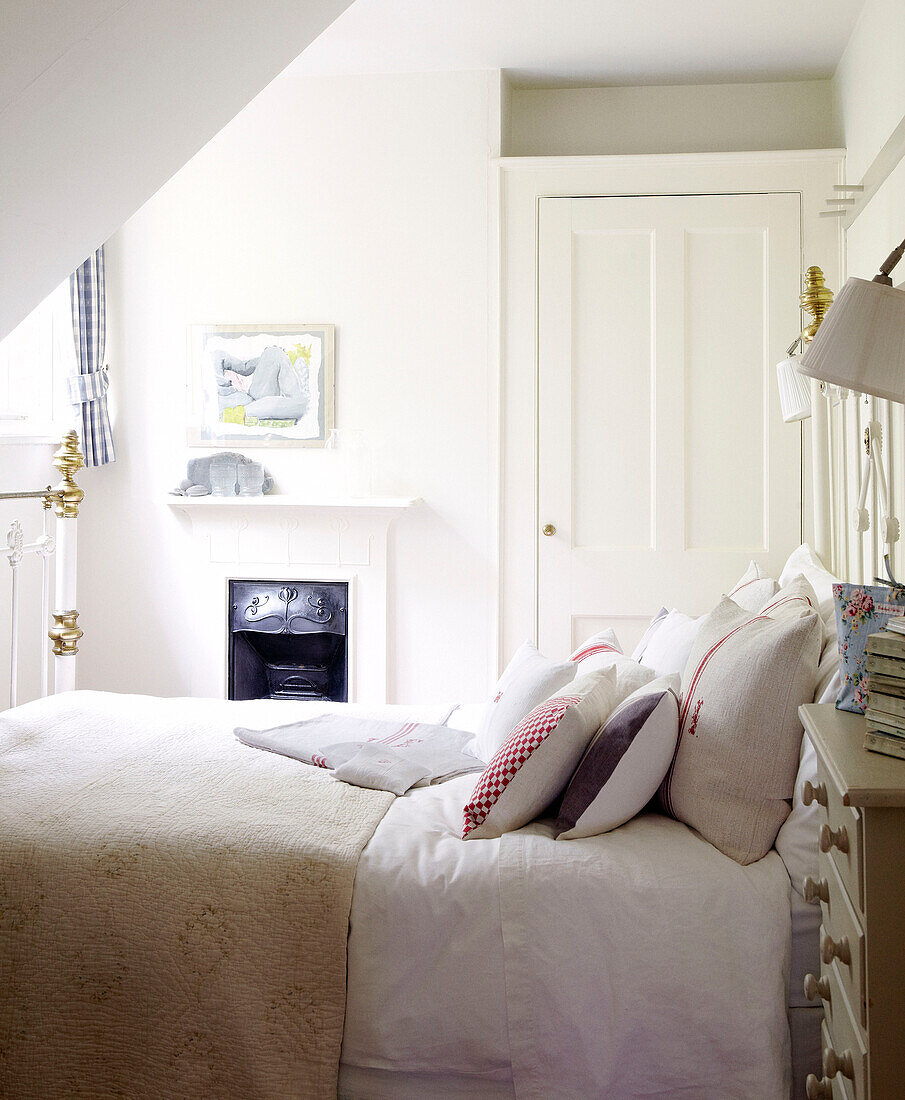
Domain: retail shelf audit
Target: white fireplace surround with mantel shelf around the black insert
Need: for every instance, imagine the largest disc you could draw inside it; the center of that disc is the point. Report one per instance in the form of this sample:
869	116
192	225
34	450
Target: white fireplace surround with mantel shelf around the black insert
295	541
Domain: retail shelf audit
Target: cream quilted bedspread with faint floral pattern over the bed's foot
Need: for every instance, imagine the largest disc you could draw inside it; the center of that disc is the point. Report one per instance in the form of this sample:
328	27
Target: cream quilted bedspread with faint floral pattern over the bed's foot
174	907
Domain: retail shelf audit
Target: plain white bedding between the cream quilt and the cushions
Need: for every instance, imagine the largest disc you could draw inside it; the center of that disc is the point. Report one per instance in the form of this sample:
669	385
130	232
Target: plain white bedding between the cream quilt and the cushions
642	963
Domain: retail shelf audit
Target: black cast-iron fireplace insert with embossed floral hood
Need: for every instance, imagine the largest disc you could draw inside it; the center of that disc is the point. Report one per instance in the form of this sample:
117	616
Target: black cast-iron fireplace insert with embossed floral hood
288	640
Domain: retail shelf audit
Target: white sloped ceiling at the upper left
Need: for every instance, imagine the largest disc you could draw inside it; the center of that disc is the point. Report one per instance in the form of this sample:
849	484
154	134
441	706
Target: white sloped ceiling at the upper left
102	102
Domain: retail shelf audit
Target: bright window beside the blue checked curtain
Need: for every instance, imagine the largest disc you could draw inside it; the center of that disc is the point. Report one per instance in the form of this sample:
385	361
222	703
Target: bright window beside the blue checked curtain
36	360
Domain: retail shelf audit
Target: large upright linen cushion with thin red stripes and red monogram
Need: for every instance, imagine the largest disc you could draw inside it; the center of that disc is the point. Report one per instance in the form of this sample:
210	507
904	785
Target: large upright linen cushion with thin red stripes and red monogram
740	740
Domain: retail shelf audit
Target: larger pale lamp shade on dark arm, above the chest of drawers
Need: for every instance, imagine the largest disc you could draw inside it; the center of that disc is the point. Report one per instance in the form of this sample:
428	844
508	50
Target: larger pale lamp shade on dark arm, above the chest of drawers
860	345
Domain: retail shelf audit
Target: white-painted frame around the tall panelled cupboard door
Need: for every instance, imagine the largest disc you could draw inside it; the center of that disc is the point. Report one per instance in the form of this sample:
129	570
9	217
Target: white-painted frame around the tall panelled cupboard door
520	184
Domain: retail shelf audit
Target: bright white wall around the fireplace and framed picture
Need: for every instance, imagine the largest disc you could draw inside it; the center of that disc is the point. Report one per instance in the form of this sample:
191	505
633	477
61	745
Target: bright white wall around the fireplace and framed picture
357	201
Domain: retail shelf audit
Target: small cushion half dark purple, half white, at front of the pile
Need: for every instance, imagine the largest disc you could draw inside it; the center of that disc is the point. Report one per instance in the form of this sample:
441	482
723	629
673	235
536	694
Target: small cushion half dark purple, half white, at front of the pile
625	763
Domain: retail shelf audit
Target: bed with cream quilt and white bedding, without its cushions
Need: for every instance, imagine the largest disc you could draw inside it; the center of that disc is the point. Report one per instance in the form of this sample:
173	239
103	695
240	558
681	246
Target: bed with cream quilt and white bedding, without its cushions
183	915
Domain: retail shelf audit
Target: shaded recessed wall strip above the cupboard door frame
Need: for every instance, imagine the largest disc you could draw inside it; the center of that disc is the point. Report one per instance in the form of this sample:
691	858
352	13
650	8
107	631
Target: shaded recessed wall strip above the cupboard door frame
681	119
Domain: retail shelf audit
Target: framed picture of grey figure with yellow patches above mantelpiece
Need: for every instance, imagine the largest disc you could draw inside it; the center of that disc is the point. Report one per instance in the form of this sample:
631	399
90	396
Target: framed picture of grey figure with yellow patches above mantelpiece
261	386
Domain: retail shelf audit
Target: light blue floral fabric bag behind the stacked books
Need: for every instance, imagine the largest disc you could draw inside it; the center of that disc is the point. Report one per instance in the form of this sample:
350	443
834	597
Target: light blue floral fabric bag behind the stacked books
862	610
